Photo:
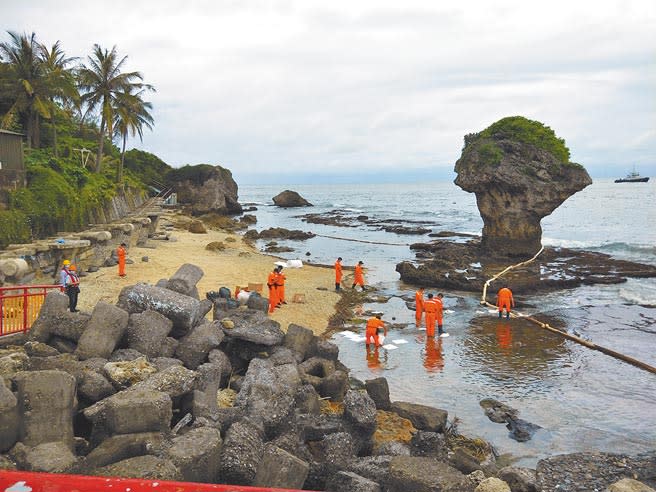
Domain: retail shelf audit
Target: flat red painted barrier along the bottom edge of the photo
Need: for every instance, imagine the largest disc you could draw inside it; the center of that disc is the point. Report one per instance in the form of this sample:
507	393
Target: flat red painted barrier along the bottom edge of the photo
14	481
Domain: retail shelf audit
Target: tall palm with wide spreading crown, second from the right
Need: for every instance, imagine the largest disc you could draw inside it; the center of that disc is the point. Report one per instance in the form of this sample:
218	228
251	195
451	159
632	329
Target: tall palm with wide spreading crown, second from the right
101	83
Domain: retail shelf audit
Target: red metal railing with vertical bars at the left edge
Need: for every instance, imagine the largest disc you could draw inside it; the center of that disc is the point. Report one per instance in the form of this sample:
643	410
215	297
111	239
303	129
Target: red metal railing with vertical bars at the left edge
20	306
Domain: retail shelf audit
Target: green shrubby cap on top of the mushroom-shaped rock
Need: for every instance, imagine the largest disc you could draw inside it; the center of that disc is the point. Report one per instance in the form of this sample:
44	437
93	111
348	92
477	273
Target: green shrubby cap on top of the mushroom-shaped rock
530	132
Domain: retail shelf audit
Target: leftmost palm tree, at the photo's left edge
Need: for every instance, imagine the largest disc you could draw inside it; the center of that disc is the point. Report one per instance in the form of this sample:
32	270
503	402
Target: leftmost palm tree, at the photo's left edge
25	84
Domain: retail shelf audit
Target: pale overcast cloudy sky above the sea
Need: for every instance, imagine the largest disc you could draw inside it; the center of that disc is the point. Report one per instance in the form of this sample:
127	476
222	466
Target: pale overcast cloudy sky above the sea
296	91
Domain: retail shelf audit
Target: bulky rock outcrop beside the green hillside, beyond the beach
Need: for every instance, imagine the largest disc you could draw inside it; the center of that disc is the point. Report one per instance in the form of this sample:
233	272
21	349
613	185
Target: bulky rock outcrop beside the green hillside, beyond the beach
206	189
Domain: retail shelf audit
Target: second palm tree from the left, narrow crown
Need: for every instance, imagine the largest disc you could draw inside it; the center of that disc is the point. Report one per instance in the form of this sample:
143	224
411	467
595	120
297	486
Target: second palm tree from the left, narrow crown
60	81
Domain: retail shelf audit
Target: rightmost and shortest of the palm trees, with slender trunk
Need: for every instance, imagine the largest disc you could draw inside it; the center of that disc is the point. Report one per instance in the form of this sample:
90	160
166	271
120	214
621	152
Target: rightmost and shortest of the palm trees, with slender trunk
130	116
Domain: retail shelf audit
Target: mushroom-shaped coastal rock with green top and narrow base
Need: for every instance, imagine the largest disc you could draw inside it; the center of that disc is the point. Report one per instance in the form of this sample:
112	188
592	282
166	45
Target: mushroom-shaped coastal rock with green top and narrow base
520	173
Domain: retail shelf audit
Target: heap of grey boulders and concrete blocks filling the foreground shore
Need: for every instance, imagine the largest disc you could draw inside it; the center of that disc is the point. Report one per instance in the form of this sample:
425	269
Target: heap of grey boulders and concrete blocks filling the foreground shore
150	388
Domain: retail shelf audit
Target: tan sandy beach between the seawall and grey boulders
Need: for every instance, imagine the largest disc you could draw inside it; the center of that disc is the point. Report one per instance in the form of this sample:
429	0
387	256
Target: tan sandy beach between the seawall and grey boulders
238	264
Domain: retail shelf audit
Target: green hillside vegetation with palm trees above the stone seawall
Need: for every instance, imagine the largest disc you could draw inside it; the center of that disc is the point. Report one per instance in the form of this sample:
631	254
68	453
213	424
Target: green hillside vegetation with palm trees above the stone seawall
69	111
